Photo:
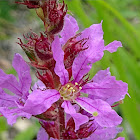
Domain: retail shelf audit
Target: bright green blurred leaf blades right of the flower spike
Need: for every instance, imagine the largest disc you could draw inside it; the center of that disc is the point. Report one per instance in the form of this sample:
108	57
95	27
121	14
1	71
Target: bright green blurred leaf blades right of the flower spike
118	24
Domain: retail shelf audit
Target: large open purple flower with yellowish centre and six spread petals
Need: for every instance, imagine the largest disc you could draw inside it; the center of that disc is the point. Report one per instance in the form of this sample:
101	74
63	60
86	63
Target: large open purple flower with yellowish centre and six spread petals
71	90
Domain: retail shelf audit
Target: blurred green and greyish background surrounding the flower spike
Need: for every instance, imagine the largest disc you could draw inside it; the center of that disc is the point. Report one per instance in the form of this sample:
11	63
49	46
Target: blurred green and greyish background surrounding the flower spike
121	21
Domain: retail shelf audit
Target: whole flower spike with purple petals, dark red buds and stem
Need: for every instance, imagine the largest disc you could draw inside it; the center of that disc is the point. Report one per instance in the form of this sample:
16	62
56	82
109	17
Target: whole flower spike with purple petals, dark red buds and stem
67	103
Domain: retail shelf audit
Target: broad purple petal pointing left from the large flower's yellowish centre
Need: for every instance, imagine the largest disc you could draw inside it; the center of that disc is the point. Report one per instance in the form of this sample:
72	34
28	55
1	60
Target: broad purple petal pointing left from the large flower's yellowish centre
39	101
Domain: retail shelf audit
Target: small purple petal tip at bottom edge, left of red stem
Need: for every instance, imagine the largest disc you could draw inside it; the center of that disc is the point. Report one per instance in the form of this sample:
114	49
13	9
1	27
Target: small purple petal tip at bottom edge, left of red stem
42	134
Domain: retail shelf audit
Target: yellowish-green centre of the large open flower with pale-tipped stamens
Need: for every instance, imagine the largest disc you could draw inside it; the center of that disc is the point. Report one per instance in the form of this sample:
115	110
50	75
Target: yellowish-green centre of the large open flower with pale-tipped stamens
70	91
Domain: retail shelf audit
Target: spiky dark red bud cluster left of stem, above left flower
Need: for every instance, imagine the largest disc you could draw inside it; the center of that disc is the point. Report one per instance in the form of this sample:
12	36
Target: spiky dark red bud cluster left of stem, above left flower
38	50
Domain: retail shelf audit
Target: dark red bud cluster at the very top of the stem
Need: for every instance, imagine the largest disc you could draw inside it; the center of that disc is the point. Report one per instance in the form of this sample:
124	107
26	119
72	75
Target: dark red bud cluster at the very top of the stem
52	14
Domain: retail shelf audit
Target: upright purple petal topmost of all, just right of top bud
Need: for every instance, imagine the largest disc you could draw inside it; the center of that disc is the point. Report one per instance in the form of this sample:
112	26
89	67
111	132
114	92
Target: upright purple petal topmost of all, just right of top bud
69	30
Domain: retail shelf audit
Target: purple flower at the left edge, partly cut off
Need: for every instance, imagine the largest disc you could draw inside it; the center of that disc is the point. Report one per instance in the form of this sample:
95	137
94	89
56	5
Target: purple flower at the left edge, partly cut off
9	103
